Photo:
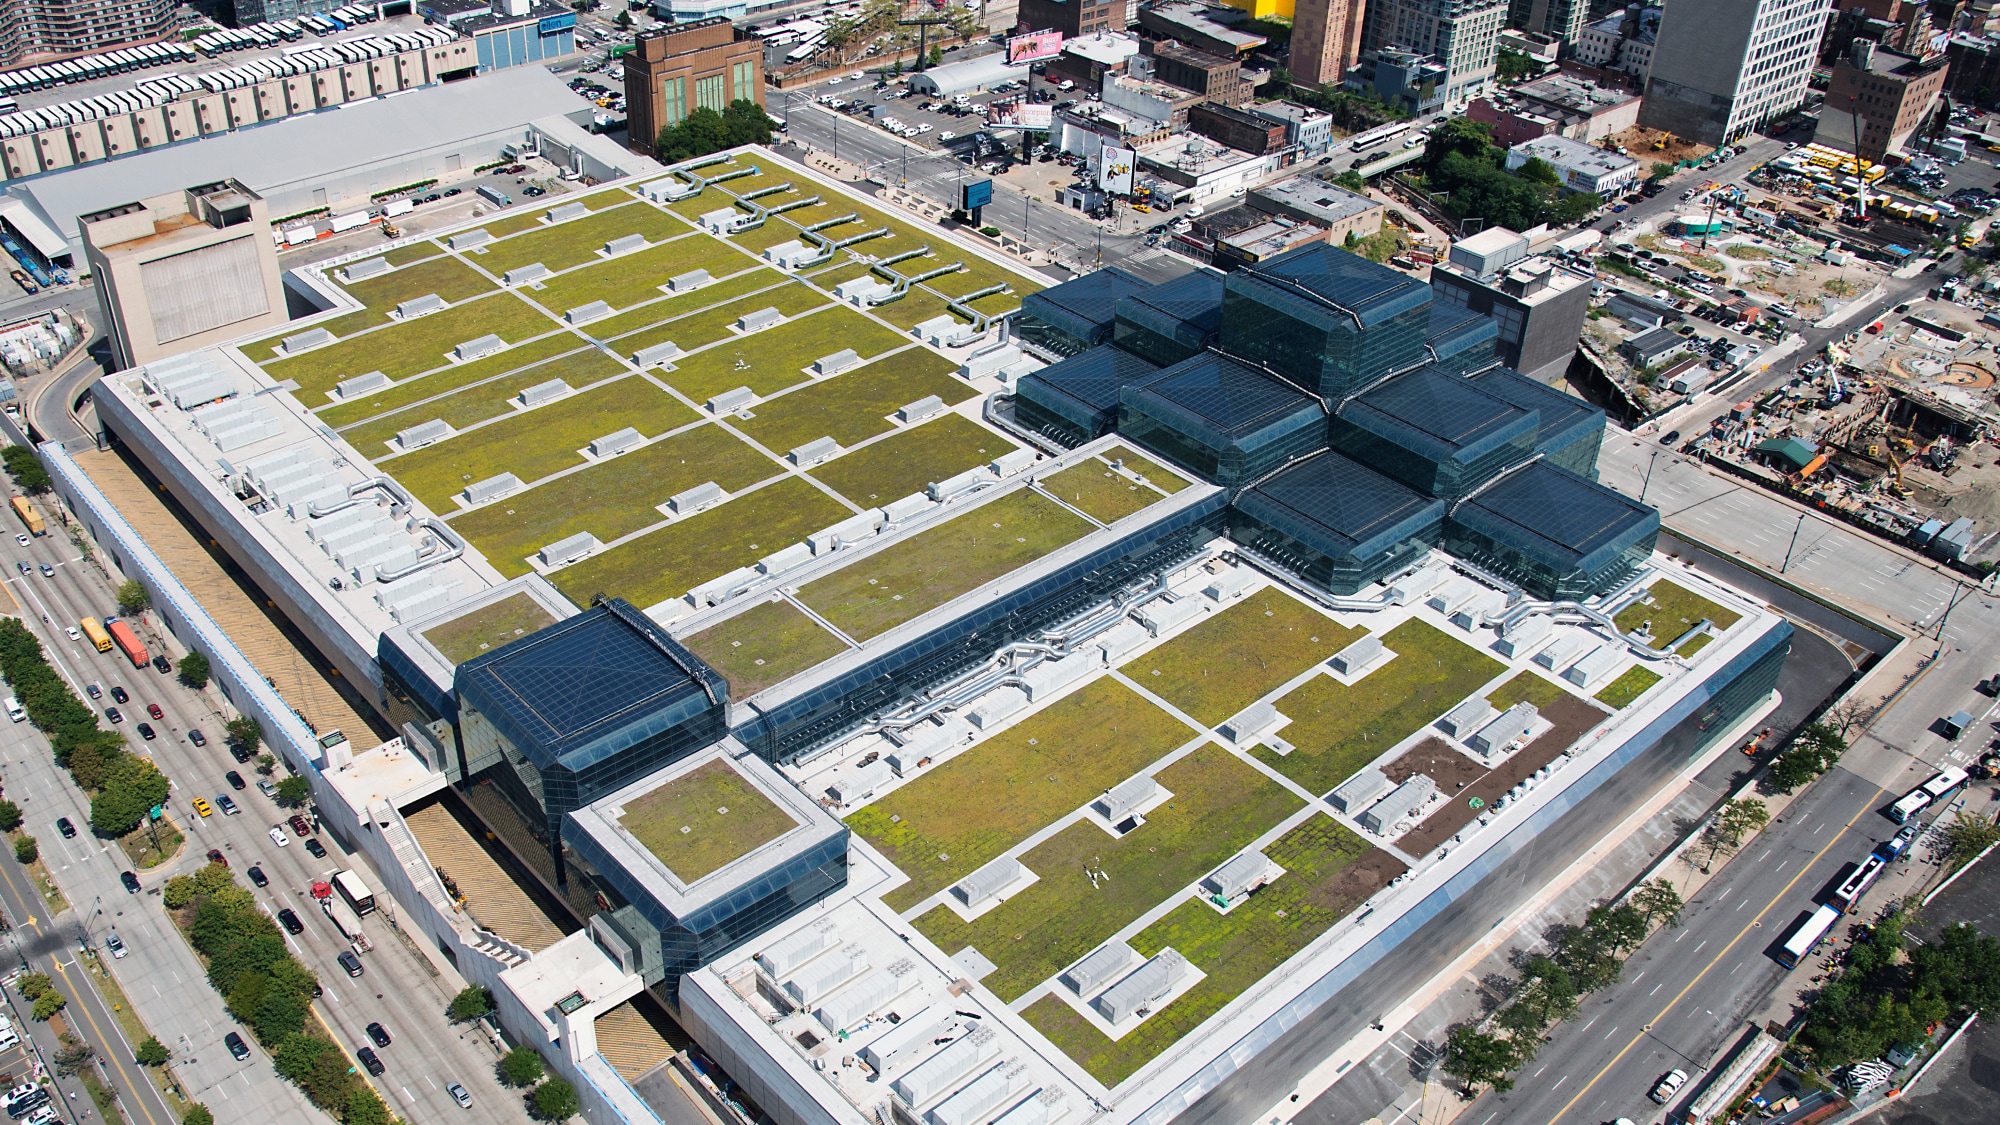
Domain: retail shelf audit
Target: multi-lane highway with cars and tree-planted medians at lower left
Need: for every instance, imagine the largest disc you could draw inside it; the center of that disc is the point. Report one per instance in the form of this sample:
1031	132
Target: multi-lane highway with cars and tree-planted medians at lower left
401	988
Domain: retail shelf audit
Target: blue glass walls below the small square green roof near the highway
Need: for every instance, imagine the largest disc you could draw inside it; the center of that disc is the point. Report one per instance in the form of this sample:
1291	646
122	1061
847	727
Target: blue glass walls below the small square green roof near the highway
715	928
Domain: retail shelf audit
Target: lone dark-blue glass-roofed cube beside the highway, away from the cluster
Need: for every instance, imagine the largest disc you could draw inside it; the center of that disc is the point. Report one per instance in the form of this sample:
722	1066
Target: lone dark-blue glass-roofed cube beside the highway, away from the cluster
589	706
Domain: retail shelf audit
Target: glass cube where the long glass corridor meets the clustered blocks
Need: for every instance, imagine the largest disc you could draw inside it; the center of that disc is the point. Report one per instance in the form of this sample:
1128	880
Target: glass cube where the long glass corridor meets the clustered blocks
1337	523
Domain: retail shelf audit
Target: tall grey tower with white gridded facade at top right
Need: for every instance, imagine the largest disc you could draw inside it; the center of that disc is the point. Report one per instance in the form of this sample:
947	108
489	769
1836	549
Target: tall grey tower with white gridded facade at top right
1727	67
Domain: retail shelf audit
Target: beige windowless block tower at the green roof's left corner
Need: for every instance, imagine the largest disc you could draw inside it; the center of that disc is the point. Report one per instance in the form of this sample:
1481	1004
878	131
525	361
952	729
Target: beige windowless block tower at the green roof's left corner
185	271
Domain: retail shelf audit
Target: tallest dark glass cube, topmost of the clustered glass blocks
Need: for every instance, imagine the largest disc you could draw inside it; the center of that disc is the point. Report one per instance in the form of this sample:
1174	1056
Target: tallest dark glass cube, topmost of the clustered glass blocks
1325	319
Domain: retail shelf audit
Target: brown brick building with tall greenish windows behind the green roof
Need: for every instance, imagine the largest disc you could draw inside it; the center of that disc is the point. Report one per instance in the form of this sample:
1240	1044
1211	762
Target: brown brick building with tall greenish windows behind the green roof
679	69
